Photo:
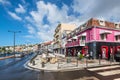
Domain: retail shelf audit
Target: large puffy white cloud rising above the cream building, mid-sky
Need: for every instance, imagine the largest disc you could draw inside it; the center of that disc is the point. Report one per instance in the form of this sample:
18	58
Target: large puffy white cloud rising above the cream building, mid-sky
53	15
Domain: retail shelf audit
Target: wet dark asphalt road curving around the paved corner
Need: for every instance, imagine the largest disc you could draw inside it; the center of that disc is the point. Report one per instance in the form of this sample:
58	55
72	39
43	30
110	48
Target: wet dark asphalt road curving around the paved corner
15	70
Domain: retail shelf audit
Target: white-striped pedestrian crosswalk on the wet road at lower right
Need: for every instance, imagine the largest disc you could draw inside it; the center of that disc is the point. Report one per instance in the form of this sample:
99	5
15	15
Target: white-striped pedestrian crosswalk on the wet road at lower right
111	71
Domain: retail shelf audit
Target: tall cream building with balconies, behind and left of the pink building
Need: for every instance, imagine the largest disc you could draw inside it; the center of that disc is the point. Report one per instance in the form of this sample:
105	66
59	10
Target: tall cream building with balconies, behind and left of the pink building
61	28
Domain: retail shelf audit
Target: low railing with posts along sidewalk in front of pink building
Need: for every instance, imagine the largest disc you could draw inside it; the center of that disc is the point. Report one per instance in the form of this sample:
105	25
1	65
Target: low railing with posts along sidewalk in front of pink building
68	62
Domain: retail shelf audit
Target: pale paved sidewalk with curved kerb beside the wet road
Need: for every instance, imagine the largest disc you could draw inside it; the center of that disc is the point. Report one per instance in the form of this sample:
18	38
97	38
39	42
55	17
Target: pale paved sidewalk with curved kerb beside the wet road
66	66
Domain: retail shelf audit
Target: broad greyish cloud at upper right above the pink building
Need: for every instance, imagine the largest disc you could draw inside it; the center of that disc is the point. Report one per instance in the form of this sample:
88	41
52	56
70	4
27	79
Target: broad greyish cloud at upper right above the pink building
94	8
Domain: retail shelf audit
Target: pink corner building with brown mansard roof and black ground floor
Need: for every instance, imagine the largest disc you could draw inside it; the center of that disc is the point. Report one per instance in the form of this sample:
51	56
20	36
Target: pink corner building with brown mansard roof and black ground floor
97	36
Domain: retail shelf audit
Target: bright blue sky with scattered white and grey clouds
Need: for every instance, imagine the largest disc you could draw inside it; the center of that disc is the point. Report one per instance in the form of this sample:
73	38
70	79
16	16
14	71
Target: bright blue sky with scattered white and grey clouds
37	19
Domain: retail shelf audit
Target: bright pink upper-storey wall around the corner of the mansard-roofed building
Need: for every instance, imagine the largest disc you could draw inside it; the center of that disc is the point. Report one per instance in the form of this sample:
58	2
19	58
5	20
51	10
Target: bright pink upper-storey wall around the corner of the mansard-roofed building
94	34
